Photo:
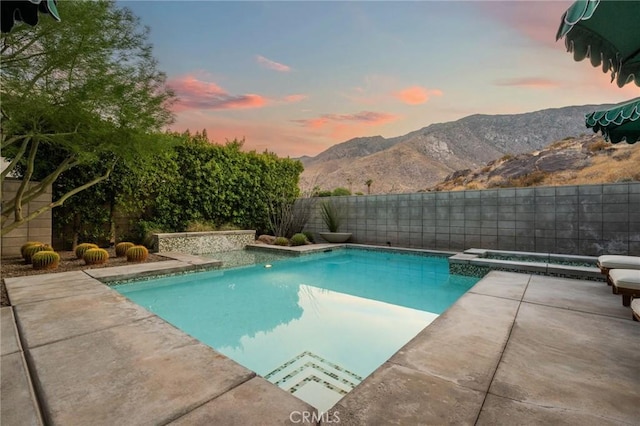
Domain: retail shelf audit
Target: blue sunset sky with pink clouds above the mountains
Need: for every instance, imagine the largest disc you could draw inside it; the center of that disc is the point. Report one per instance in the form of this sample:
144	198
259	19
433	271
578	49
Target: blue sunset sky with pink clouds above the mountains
296	77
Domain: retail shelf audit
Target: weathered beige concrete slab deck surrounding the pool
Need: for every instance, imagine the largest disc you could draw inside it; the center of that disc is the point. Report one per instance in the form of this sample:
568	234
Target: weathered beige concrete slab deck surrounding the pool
516	348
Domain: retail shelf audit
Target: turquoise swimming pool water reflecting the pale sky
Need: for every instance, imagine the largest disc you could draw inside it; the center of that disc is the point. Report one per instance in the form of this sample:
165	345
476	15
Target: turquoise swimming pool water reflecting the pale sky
315	325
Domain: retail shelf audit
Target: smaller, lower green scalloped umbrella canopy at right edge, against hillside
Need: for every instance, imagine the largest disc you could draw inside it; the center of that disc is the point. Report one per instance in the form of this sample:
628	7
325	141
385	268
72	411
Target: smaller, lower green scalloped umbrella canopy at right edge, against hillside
618	123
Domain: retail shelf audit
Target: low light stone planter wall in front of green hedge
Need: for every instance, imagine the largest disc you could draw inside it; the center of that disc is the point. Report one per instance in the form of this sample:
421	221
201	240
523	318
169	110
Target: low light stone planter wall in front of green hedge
203	242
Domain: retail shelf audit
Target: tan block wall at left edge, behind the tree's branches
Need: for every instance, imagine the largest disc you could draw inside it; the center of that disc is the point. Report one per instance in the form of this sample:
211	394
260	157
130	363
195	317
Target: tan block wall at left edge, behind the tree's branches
38	229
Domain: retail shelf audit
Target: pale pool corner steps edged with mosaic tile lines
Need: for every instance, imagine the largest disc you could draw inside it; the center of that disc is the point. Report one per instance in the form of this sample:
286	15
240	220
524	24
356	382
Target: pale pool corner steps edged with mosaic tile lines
309	376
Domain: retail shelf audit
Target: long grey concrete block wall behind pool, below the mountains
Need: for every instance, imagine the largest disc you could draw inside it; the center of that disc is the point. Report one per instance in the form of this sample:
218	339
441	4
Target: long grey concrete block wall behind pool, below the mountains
586	219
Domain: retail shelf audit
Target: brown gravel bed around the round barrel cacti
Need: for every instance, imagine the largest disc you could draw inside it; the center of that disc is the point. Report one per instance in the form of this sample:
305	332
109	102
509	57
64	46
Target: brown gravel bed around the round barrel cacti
15	267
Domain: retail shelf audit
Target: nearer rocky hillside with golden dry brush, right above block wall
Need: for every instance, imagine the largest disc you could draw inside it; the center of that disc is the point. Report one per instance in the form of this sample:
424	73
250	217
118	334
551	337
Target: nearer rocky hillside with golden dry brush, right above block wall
572	161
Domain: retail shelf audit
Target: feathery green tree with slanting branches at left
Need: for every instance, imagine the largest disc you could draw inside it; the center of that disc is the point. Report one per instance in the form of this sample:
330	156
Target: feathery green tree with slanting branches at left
86	89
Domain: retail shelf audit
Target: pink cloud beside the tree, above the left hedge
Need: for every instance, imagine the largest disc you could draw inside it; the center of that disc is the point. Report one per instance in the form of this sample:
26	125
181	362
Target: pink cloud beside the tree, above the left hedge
195	94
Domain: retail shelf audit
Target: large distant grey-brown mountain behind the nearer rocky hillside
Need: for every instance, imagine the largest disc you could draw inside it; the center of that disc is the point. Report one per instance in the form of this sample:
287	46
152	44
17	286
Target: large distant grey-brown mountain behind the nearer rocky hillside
424	157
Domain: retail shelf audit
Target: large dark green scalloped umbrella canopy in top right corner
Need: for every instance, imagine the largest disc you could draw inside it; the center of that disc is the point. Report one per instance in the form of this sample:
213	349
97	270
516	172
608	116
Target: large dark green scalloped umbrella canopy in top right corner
607	32
